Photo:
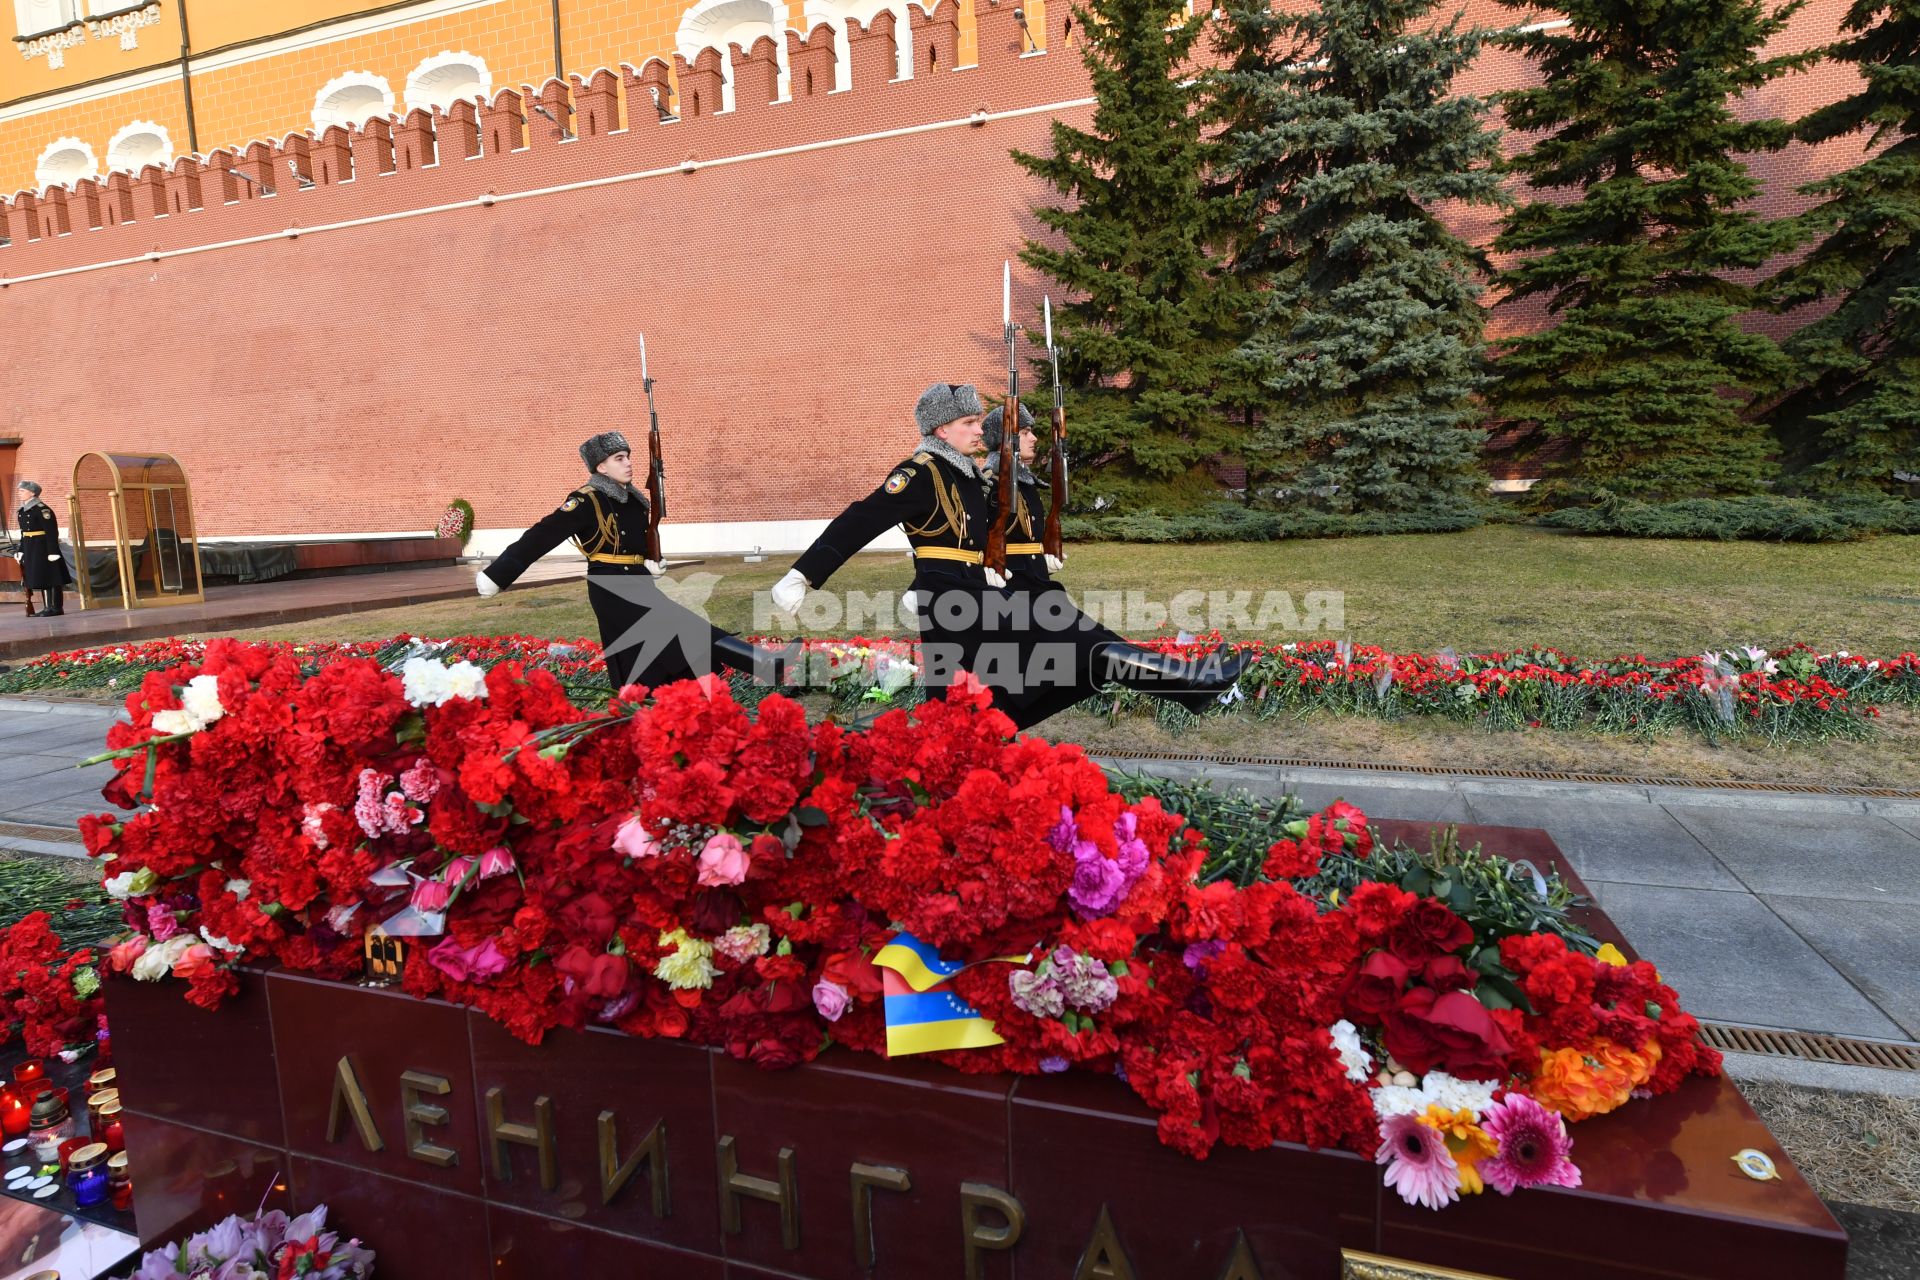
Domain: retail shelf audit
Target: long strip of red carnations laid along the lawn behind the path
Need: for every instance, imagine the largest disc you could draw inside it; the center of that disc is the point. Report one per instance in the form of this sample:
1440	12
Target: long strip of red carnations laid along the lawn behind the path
1792	694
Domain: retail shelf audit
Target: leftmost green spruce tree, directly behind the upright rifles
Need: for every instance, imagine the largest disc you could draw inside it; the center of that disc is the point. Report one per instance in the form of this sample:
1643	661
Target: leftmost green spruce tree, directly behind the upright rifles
1149	312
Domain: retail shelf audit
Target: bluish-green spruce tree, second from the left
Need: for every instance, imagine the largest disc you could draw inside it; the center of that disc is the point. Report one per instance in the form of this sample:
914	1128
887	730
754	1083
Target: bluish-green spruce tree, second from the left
1341	131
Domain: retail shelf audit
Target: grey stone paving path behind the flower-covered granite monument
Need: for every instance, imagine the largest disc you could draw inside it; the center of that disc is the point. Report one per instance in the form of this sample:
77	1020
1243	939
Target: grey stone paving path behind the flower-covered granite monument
1765	909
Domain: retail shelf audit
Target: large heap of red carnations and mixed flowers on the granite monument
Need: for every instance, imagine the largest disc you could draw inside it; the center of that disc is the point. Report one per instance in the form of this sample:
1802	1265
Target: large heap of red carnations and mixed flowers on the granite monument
692	868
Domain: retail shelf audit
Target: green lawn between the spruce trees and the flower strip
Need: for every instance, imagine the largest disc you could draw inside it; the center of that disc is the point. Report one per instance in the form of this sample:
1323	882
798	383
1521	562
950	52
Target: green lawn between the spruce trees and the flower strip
1491	588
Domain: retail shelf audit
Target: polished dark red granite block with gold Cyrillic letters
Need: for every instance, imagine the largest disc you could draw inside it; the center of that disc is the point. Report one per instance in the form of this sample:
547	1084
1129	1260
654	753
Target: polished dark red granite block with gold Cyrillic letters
460	1152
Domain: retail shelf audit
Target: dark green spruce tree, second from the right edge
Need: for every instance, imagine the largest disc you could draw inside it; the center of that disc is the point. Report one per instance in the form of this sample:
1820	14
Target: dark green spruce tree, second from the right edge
1644	369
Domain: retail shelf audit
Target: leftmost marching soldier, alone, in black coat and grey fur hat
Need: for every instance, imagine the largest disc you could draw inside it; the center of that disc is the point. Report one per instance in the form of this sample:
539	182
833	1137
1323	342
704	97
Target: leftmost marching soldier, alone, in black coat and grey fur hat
648	638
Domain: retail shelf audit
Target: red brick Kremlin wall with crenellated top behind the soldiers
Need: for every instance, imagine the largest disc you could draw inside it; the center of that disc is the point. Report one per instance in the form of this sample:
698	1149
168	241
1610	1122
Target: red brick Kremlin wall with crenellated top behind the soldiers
433	320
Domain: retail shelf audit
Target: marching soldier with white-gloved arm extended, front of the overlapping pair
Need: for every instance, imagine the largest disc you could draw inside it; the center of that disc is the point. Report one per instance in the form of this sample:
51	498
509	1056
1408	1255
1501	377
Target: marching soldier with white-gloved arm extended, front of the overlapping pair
938	498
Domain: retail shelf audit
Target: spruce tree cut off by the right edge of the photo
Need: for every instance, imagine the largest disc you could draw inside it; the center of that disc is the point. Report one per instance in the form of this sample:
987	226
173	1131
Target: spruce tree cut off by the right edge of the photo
1858	406
